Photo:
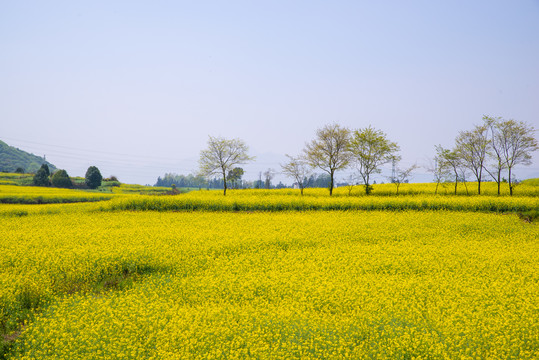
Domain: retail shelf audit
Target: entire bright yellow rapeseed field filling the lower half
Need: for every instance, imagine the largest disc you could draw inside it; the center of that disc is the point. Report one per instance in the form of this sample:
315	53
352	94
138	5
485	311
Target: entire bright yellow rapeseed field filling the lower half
270	274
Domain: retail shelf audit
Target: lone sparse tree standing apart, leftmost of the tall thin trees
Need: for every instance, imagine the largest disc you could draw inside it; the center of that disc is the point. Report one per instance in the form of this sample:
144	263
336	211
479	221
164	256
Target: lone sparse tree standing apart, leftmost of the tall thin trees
221	156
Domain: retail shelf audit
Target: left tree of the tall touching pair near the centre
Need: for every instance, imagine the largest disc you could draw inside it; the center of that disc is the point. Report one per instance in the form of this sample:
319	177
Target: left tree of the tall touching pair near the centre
329	151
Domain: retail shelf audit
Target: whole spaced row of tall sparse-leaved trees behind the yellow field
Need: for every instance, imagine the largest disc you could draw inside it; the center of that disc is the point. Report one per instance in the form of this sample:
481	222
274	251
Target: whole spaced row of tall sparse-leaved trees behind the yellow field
490	148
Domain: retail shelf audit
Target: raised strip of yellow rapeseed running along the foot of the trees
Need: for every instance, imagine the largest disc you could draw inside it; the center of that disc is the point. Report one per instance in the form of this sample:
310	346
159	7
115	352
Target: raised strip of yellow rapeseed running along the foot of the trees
316	199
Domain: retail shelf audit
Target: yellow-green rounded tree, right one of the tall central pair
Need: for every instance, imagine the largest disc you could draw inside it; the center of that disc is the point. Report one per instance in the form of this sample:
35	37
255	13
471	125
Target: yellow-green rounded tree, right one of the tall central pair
371	149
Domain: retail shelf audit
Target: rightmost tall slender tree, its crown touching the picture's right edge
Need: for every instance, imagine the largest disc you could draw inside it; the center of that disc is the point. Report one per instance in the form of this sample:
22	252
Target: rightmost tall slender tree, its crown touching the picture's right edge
517	144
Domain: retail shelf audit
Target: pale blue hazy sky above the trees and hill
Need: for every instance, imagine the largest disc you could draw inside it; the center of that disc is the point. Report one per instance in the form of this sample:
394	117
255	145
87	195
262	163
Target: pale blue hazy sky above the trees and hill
136	87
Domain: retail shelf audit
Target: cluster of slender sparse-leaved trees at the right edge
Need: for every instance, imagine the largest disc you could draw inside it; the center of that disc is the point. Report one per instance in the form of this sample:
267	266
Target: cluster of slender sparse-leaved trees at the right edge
488	150
